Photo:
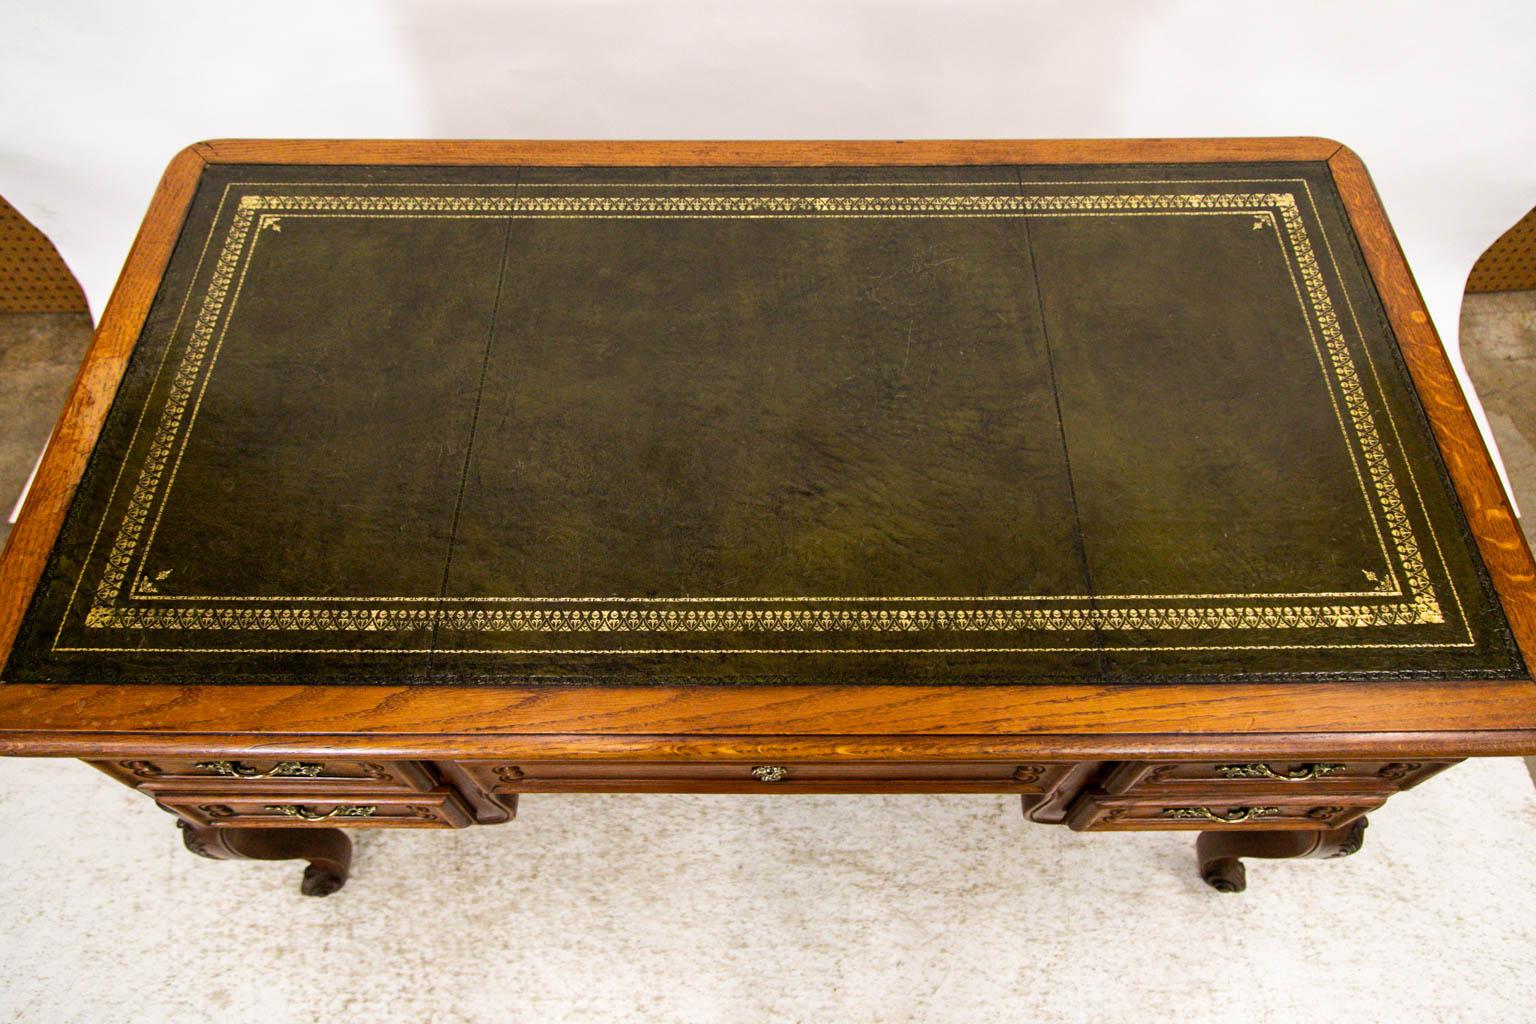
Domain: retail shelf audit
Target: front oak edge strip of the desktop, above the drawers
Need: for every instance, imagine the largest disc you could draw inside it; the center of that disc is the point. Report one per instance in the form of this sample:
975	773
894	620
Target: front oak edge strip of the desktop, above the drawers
896	722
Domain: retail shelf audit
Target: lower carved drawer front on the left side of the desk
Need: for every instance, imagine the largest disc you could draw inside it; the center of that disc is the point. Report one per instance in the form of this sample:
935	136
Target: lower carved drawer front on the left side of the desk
351	810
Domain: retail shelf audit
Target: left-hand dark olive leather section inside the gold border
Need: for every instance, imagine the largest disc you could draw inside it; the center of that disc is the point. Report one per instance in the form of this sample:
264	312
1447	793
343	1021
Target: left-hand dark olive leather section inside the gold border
323	474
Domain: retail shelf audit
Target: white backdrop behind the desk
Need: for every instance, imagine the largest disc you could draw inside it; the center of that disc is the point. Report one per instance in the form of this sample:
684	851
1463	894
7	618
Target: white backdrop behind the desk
1437	97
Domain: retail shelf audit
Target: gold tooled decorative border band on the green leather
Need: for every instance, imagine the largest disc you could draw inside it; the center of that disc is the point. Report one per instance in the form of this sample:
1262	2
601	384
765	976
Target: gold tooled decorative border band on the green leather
1422	607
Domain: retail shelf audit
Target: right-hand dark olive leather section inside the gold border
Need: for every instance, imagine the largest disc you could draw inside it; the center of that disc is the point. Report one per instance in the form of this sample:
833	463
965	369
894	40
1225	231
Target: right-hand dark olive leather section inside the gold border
1259	466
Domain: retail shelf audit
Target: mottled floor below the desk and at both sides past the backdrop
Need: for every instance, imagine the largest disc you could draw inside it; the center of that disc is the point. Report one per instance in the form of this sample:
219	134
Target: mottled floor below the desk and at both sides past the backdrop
756	910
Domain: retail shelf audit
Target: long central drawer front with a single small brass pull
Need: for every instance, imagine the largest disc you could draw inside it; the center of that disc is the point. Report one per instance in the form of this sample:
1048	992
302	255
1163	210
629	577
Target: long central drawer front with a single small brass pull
767	776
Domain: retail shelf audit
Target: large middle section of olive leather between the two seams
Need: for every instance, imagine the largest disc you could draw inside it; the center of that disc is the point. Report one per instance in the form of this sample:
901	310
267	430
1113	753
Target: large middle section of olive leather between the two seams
652	463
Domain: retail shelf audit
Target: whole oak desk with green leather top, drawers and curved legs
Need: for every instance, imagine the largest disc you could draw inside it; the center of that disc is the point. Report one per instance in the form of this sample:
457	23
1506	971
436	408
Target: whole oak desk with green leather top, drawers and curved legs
1125	477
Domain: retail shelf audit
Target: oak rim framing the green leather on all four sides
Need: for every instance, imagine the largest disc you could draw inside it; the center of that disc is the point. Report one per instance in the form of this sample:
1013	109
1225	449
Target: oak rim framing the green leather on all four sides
867	724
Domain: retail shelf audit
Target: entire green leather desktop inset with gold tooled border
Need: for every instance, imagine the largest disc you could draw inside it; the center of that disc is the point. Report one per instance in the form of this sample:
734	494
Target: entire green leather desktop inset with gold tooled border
766	426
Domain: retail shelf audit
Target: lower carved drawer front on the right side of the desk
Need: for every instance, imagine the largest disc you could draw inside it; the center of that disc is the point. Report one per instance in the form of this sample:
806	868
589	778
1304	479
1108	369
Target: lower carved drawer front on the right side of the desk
1213	811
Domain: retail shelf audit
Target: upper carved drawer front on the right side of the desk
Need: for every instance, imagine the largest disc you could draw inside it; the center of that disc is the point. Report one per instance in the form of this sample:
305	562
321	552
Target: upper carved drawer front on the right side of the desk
1277	776
